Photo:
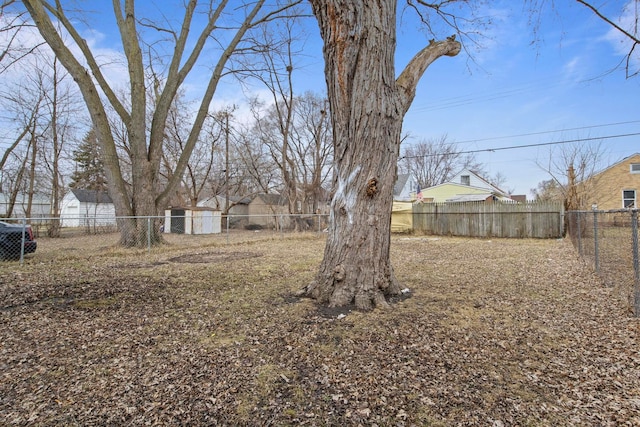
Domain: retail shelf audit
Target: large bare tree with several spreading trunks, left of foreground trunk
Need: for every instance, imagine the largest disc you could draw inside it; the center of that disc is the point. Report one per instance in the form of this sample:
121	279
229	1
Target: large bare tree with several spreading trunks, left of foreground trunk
146	194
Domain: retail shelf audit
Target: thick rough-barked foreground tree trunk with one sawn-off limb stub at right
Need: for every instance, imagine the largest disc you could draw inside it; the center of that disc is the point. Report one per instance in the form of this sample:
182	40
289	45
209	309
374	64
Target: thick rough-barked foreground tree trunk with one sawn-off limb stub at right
367	106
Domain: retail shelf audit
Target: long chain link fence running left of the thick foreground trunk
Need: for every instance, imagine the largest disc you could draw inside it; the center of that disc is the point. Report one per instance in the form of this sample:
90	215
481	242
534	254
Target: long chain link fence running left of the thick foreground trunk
49	238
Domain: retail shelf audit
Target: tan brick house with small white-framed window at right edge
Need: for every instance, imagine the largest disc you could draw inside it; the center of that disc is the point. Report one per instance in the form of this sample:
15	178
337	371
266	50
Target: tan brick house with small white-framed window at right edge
616	187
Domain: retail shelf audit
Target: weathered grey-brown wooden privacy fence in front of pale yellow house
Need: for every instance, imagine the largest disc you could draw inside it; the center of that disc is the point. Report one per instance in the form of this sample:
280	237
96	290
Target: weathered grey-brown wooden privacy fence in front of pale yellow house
480	219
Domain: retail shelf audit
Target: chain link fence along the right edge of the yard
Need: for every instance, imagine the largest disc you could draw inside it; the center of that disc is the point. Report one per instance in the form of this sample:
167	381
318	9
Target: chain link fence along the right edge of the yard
609	241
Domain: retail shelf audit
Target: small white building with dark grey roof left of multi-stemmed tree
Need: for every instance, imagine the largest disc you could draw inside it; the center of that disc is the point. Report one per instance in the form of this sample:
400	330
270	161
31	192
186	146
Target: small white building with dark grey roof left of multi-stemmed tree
87	208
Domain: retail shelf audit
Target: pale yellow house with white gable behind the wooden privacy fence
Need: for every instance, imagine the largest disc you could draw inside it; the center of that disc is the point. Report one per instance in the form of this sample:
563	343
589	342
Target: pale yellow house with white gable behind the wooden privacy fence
466	186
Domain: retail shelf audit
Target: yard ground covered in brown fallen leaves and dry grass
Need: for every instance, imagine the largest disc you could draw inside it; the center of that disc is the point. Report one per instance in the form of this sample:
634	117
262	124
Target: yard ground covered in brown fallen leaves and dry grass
494	333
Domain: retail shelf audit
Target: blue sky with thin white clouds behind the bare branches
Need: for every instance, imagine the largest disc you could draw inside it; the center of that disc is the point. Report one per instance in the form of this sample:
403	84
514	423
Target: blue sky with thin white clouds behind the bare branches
510	92
